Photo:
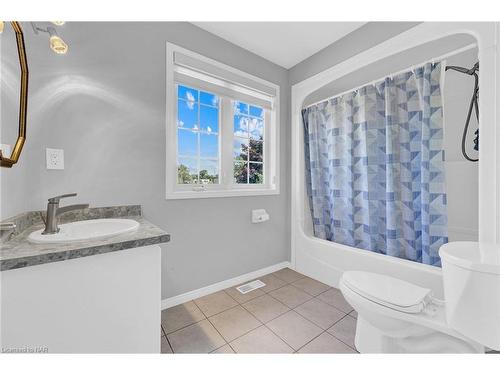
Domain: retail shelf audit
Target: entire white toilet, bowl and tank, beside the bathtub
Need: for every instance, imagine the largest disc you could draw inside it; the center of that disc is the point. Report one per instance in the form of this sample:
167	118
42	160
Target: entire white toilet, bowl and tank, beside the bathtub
395	316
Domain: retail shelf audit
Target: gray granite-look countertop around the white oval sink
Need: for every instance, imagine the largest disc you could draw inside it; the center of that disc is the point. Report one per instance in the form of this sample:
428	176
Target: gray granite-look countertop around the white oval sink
17	252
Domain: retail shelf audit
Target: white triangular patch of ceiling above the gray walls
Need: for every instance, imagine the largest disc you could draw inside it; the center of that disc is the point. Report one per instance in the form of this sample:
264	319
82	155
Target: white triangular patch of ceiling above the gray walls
284	43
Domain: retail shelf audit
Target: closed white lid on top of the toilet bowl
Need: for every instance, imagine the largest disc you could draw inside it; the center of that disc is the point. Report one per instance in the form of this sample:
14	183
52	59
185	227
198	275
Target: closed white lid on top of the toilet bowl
388	291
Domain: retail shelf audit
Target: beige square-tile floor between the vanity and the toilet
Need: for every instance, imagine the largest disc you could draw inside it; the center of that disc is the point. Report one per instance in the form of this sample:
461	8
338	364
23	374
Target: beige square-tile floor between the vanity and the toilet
291	314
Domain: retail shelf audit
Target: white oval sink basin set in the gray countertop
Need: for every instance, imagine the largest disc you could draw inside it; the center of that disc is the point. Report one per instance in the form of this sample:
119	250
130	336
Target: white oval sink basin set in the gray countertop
85	230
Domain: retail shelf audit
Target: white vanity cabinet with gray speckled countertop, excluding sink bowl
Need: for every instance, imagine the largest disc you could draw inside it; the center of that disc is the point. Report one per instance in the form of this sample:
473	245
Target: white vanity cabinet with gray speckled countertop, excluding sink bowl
89	296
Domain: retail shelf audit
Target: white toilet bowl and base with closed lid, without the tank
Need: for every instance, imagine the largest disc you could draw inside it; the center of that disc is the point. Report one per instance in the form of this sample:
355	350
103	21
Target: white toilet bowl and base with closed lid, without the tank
395	316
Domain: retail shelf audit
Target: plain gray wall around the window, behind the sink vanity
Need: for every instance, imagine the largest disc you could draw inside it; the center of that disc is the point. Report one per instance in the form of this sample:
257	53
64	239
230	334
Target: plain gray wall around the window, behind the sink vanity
104	104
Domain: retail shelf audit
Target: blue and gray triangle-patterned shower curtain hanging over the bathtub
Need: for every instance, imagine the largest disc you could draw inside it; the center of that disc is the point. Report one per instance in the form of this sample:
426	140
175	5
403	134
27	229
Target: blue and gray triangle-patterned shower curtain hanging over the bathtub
375	166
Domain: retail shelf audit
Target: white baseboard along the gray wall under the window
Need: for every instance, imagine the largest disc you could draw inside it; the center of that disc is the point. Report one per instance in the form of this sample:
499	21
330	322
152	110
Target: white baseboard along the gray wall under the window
185	297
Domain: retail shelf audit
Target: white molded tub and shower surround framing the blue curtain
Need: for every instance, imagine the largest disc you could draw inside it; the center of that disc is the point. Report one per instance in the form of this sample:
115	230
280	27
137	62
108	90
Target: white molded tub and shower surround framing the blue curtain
326	261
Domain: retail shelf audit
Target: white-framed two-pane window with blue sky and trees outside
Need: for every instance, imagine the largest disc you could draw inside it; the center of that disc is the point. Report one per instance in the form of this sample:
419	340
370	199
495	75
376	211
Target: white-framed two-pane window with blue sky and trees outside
222	129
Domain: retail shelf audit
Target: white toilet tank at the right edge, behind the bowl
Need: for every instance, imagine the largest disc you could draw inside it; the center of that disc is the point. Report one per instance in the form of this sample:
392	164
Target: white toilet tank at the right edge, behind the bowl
471	277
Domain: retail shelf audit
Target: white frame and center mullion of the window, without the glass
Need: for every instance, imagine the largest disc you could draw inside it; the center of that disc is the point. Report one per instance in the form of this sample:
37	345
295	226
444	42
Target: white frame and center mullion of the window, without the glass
226	186
